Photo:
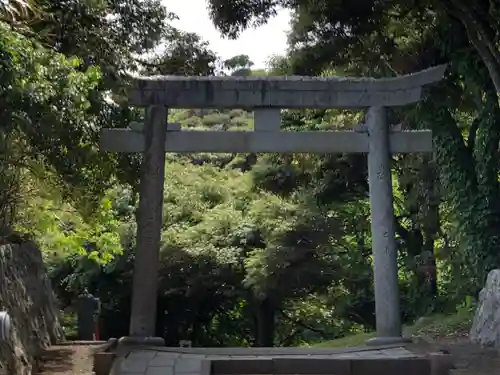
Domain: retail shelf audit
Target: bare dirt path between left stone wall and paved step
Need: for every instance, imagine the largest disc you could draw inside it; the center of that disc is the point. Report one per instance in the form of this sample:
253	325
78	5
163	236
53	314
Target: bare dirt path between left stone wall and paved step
68	360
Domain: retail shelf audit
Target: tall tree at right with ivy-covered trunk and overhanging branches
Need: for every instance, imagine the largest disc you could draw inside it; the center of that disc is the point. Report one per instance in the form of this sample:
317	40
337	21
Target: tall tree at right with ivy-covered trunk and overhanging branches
393	38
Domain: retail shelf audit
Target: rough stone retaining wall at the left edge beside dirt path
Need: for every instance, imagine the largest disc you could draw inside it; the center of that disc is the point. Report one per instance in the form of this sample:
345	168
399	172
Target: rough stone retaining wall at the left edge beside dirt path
27	296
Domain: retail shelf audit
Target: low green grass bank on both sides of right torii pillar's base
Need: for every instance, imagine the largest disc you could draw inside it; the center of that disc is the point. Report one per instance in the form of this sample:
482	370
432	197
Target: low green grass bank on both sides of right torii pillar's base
432	327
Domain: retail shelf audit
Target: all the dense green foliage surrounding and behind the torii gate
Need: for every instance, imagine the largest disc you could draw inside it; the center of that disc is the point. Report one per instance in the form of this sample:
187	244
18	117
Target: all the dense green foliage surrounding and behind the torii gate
256	249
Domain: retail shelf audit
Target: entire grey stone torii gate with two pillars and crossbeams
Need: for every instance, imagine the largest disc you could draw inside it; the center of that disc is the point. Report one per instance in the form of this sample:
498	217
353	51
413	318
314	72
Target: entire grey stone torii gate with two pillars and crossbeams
267	96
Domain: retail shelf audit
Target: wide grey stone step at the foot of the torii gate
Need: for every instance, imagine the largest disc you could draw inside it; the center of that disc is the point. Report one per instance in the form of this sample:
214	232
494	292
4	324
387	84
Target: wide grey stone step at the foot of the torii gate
150	362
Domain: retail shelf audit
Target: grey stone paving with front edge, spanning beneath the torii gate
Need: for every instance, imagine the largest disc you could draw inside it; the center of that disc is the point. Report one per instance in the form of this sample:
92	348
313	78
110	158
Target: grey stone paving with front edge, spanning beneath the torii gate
252	361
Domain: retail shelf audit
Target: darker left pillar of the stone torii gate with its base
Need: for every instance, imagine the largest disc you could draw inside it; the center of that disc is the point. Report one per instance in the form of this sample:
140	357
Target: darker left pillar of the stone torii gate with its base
149	221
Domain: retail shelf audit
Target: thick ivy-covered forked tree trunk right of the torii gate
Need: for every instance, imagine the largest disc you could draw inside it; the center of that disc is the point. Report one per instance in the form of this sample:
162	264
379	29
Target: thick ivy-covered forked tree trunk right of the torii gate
471	190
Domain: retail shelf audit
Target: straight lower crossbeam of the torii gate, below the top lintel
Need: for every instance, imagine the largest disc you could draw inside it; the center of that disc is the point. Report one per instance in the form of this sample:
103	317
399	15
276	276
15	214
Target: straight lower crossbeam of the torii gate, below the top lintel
125	140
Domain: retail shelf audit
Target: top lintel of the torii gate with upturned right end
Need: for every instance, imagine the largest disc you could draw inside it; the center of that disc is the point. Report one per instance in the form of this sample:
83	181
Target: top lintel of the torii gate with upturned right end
281	92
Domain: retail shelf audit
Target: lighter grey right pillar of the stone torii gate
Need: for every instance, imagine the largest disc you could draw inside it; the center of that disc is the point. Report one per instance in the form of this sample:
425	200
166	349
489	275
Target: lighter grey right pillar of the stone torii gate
385	268
